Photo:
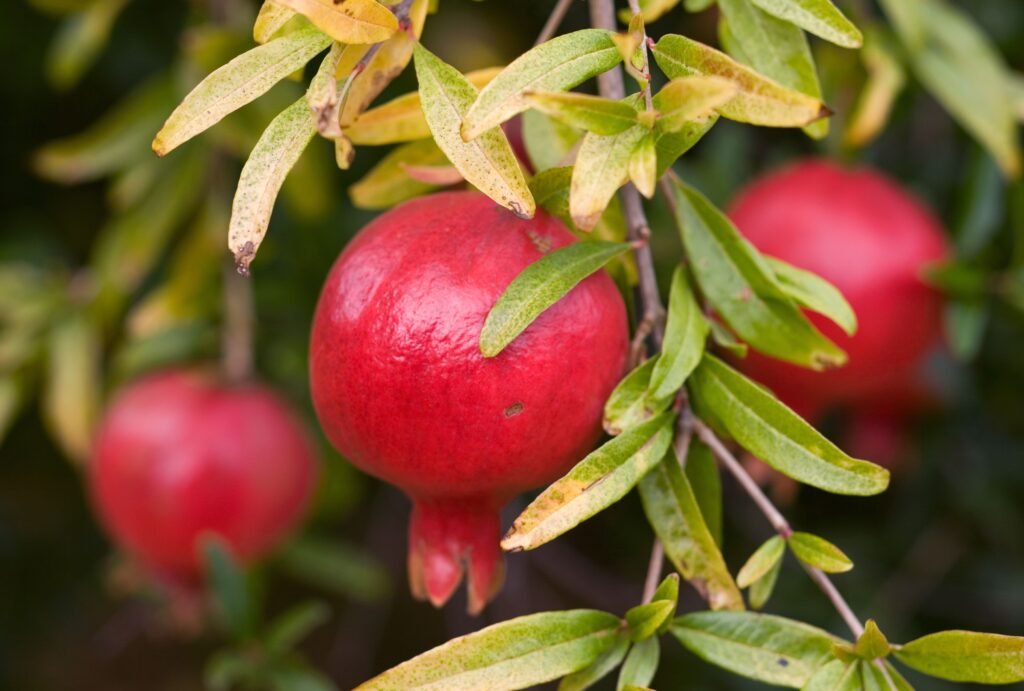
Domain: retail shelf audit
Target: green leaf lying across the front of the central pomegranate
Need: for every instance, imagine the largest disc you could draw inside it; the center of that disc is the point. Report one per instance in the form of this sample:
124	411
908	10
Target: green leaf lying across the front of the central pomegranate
539	287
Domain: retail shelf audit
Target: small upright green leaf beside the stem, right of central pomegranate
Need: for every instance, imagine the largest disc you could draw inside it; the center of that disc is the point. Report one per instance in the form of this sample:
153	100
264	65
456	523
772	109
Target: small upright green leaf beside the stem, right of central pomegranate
686	333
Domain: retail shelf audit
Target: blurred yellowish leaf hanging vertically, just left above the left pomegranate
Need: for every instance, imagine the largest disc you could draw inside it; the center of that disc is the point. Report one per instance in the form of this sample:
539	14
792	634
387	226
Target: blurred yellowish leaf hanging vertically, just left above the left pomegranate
74	384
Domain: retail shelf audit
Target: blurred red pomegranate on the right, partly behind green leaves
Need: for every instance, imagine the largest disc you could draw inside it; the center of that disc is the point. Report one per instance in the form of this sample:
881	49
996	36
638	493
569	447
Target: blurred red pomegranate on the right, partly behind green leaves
872	240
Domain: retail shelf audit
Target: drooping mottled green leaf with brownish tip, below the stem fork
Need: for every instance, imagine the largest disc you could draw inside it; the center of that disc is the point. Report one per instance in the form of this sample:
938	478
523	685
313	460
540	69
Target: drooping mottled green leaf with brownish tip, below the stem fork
674	514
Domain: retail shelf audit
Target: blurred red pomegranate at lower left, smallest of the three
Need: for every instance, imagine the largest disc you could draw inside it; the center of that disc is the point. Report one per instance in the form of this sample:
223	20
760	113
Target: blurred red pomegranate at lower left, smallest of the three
180	455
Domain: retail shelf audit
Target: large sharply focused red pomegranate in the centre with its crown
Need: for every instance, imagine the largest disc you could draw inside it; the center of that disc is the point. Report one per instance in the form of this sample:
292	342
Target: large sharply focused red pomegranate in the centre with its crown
403	392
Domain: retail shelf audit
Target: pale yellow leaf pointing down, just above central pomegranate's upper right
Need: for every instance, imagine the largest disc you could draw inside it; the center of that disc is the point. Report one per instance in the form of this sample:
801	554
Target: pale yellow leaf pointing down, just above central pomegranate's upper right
591	194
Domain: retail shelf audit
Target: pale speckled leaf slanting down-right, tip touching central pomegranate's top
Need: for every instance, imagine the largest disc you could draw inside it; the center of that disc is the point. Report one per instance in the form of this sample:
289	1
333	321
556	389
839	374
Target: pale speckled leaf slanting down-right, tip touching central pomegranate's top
488	162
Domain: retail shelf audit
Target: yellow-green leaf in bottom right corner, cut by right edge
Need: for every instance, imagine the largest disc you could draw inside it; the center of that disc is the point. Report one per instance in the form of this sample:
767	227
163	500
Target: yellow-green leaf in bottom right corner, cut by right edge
967	657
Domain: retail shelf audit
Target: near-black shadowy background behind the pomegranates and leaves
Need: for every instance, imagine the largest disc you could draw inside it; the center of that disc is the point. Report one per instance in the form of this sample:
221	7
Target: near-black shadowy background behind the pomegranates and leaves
943	549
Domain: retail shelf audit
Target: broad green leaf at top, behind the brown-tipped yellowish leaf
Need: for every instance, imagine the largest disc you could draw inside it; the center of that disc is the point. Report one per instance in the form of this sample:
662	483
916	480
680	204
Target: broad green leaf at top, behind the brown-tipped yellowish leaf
775	49
